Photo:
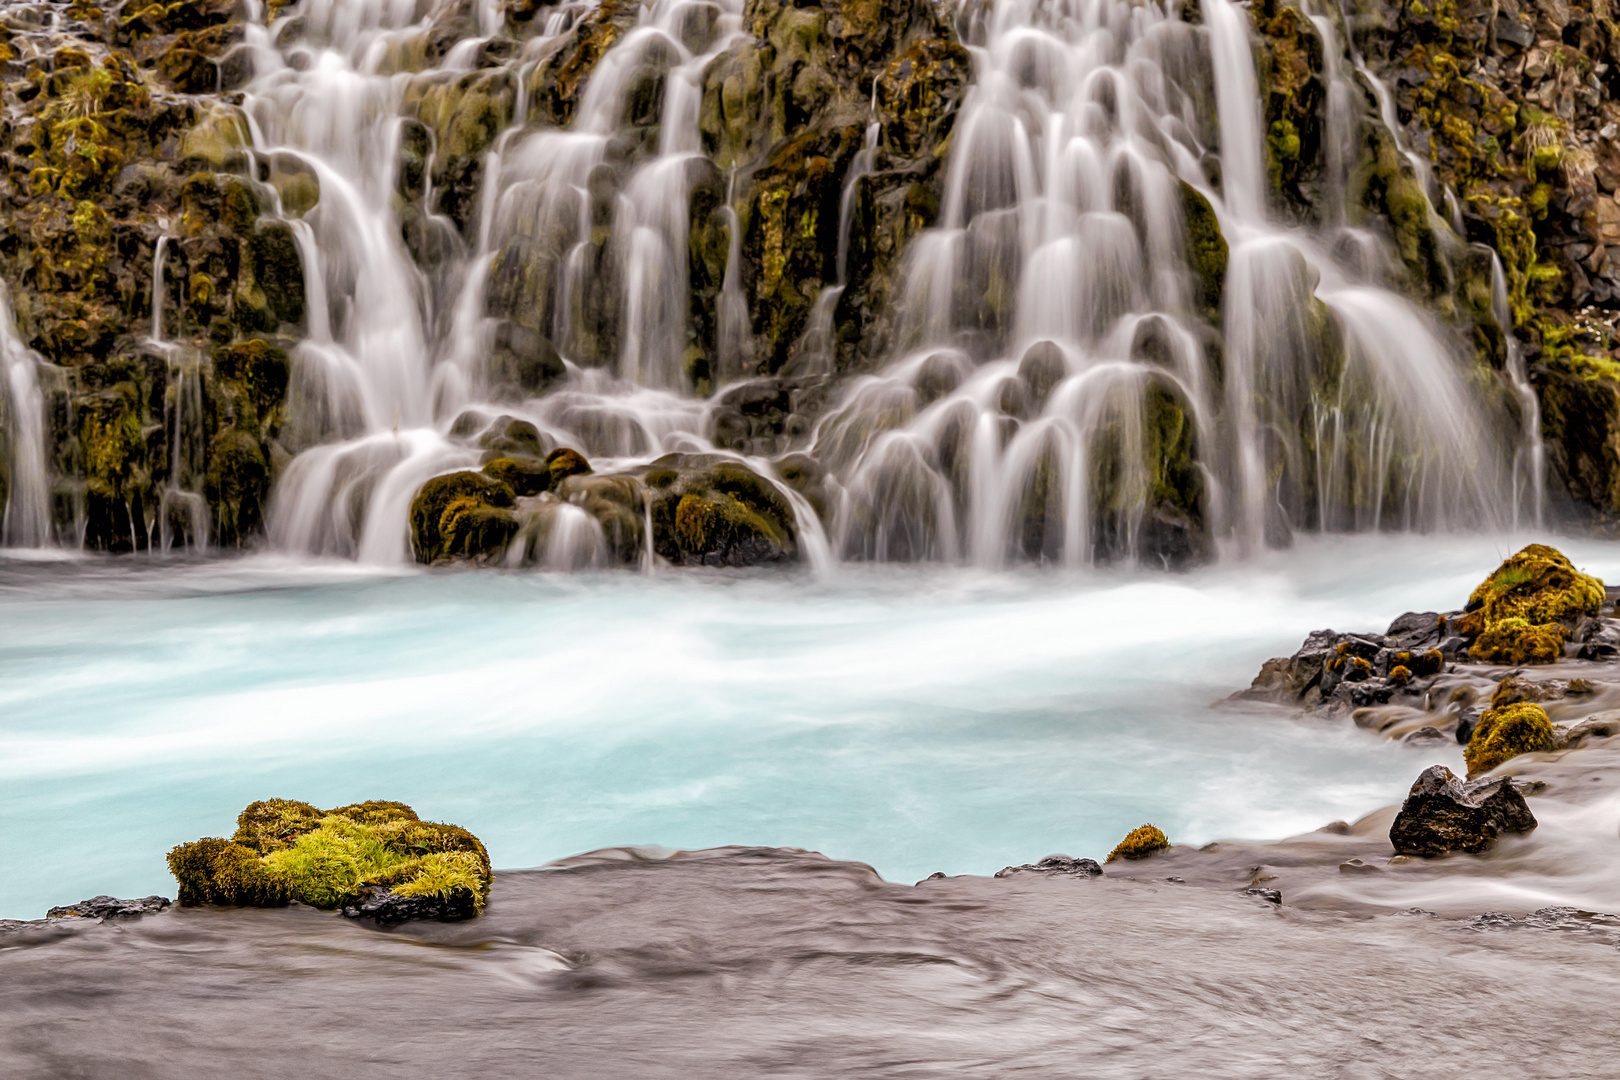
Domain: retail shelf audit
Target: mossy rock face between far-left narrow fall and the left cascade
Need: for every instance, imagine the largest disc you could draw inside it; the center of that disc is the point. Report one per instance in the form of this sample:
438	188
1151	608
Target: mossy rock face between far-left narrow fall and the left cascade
117	140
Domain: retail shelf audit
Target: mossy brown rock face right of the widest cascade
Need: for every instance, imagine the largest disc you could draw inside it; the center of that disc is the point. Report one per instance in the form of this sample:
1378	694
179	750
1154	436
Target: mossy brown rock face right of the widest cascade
1517	106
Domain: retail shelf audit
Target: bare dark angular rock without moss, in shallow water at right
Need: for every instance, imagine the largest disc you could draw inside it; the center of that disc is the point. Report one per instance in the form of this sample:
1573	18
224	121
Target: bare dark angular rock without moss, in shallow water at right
1444	814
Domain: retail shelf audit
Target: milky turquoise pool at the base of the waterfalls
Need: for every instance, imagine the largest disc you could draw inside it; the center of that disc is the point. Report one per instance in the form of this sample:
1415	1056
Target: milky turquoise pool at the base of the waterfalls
919	720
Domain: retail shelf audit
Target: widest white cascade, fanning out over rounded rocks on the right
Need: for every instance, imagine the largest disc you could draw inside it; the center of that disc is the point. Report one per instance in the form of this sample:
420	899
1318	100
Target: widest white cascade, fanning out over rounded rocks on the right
1055	331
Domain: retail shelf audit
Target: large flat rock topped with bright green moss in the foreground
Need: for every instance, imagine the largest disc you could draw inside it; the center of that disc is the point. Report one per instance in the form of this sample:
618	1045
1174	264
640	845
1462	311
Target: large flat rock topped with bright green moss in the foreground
375	859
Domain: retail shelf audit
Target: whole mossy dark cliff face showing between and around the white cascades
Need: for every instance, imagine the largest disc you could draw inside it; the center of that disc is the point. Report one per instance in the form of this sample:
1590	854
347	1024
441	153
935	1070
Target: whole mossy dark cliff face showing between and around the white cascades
822	137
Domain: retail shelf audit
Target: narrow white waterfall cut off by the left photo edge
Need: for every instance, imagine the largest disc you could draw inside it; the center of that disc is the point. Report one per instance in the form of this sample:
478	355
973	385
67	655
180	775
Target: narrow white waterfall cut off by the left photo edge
27	521
